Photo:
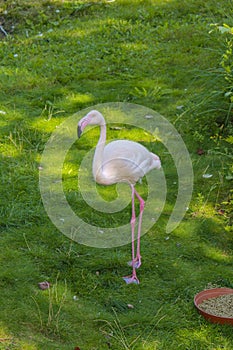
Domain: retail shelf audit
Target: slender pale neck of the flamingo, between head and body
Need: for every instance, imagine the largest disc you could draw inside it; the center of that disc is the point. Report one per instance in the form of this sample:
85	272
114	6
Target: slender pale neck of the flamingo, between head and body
98	156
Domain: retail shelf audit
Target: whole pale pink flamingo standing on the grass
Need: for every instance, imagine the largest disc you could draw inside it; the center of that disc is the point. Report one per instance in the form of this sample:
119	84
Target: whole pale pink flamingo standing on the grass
121	161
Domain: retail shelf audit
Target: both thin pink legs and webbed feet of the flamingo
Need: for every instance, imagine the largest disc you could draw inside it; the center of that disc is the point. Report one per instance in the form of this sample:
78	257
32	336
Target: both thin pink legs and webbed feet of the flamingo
136	262
